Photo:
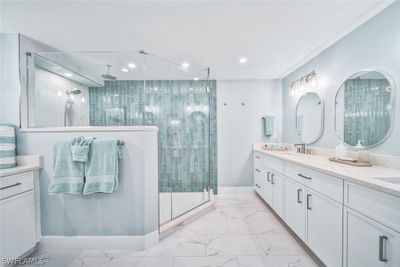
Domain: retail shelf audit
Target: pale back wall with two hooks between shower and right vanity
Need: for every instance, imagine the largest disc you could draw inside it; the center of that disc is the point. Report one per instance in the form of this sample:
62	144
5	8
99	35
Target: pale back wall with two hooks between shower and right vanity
240	126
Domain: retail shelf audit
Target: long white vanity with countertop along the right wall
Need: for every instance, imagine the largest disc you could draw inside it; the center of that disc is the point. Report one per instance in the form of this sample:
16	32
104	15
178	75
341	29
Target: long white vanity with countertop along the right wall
348	216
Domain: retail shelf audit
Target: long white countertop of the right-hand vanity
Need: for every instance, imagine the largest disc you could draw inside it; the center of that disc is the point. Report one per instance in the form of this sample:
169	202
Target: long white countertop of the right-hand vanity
360	175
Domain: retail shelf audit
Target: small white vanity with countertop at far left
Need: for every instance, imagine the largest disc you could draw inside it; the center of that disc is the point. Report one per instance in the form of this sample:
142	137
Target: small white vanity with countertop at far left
19	208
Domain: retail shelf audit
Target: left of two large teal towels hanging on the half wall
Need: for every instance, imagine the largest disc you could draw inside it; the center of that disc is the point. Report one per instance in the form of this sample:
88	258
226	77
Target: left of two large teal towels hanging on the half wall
68	176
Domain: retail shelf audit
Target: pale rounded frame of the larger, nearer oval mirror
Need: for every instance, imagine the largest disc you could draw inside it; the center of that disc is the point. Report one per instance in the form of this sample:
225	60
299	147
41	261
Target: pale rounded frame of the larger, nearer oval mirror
391	113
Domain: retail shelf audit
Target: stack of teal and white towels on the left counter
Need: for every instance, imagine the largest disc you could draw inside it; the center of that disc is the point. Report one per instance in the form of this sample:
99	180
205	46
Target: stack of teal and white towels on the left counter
7	147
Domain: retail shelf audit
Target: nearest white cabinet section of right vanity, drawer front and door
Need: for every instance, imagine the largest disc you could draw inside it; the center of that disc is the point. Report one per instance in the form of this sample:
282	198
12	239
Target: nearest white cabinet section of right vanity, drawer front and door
371	228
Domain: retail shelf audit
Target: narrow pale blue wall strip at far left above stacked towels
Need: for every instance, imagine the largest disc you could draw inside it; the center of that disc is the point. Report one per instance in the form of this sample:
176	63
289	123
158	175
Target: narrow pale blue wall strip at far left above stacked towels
9	79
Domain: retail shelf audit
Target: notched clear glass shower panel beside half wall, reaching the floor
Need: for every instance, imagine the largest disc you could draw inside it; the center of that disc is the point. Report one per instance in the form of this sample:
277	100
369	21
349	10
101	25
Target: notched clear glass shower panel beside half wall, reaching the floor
179	106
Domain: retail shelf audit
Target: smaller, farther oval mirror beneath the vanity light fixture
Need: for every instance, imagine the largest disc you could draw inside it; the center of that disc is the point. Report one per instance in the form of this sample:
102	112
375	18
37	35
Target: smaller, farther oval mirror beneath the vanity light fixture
309	118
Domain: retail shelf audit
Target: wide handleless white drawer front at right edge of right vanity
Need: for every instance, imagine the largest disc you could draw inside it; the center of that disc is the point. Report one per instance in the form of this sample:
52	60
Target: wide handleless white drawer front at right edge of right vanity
377	205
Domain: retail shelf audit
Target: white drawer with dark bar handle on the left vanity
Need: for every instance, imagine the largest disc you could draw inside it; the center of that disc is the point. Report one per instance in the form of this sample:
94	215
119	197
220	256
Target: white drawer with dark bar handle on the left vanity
15	184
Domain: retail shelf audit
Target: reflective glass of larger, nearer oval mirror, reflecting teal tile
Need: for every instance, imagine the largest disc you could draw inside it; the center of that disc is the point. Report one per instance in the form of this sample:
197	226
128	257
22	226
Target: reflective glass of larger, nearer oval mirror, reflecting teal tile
364	109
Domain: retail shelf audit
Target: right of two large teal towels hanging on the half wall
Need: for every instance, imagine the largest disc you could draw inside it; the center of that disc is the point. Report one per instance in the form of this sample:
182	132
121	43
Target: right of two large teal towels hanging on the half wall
101	170
